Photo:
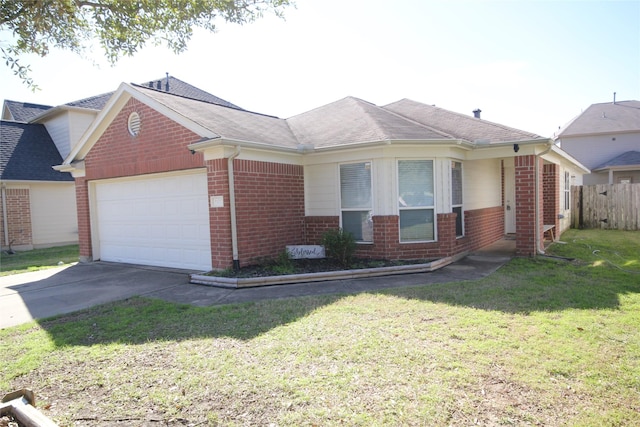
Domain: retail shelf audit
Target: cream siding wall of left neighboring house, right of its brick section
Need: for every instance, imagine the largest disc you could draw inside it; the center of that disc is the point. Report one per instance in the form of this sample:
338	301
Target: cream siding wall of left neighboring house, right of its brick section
53	214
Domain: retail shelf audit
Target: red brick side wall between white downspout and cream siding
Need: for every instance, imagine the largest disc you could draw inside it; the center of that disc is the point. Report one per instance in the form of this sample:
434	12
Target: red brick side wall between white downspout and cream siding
270	208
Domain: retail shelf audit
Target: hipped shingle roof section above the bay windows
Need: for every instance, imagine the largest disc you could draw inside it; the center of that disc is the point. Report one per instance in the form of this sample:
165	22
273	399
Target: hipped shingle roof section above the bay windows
352	120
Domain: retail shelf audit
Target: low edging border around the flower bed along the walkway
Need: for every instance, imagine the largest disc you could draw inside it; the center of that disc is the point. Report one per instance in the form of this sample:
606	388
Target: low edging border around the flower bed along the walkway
252	282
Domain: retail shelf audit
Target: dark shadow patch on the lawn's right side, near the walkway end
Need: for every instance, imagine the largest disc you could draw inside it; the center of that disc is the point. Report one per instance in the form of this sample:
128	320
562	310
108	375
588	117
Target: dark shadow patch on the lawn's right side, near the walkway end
529	285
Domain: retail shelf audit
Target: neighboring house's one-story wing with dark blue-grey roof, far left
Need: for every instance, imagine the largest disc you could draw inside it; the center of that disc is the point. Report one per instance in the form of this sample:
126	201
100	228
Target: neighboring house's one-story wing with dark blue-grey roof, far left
37	203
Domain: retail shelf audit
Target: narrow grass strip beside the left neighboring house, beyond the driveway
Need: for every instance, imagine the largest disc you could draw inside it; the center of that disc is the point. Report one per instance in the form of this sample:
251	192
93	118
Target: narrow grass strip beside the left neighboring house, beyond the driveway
37	259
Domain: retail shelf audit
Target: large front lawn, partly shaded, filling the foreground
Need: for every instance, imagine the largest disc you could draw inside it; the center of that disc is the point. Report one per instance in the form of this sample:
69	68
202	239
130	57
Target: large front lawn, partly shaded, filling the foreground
540	342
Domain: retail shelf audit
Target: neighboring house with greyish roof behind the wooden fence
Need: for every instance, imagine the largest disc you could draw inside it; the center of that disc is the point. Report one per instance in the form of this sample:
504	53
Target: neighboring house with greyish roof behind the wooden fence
606	139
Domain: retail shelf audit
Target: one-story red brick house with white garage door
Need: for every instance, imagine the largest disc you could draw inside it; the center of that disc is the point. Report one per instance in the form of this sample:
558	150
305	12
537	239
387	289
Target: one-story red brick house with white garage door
175	181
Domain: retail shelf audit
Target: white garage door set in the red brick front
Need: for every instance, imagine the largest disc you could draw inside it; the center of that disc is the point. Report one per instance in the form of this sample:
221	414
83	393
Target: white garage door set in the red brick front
160	220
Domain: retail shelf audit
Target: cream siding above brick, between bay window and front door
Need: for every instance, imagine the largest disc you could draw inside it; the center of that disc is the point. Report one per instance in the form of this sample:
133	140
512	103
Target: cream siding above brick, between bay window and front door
482	184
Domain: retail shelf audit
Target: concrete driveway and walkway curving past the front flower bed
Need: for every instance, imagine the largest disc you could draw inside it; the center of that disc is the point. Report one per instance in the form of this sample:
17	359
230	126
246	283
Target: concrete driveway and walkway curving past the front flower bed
36	295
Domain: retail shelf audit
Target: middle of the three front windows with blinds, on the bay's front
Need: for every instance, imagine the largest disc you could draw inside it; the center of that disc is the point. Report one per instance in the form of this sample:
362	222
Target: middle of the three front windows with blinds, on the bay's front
416	203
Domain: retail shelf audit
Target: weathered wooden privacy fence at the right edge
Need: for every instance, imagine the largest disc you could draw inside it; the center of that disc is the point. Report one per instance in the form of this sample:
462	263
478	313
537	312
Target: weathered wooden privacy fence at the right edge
606	206
